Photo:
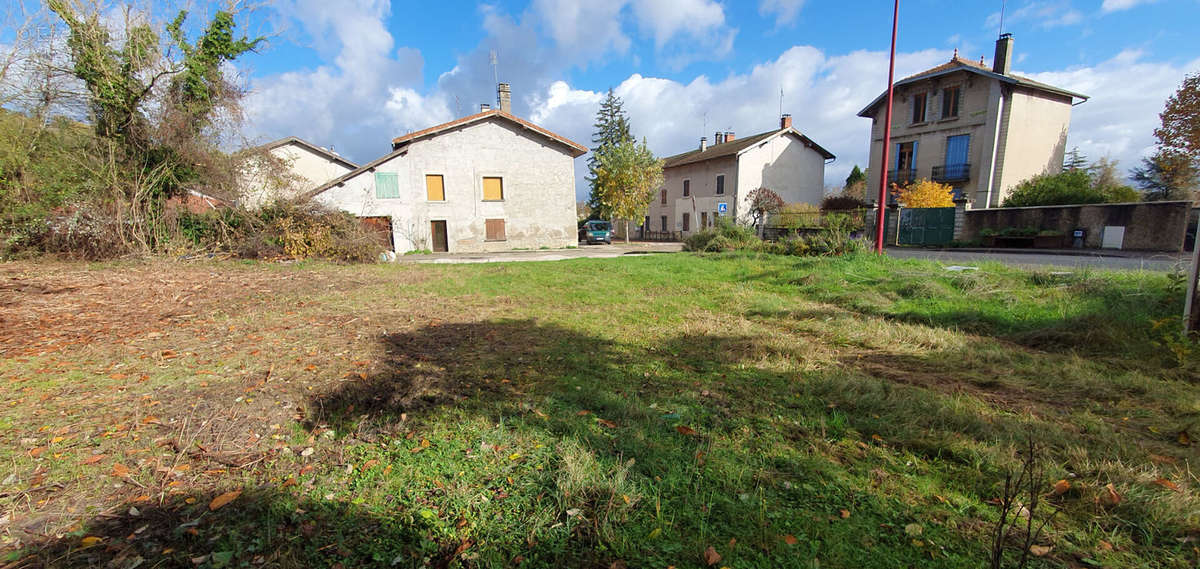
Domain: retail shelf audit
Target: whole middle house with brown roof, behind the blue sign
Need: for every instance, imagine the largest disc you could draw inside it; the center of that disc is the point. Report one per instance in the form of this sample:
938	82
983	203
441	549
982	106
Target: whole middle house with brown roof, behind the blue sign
715	182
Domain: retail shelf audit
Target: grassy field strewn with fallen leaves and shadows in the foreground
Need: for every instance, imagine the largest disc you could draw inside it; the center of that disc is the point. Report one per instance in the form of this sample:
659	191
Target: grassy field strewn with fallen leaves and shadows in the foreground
689	411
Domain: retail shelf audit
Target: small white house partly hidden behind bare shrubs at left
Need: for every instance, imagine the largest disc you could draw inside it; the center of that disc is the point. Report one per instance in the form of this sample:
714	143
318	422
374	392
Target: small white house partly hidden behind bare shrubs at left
287	169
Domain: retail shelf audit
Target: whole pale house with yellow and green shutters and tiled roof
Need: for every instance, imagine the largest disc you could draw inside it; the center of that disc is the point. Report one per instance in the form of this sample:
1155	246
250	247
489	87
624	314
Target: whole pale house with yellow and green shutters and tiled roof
489	182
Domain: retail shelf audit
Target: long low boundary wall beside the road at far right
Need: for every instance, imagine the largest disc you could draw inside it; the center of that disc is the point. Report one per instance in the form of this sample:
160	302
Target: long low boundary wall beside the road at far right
1150	226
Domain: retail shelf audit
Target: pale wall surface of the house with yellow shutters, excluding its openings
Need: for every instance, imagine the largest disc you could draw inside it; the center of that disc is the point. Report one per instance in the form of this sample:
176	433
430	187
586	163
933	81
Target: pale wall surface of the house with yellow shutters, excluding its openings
538	178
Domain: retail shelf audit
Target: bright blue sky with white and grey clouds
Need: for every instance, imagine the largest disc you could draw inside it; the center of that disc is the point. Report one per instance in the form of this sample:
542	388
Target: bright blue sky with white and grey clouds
356	74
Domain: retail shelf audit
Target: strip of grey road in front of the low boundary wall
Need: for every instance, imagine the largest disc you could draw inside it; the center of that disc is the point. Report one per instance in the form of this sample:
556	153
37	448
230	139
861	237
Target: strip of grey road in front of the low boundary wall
1117	261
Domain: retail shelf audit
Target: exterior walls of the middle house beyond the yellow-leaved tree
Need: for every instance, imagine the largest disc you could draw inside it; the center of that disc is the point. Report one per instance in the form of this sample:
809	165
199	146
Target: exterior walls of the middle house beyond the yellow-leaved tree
784	164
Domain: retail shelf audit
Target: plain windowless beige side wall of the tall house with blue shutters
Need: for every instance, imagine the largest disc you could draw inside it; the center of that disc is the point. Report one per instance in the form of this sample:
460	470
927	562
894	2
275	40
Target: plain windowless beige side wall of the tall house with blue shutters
1034	137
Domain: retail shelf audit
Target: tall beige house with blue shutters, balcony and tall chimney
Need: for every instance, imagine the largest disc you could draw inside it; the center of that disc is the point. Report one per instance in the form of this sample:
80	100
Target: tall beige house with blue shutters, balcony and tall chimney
979	129
